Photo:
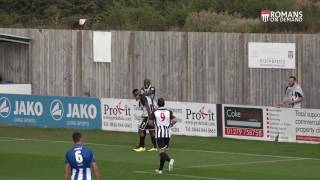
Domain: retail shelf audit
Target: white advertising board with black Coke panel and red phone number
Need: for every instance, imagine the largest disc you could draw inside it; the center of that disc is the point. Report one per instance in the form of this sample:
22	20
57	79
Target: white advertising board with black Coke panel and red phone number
278	124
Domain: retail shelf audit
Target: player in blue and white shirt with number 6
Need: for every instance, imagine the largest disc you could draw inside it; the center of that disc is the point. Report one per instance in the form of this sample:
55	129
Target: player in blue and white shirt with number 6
79	161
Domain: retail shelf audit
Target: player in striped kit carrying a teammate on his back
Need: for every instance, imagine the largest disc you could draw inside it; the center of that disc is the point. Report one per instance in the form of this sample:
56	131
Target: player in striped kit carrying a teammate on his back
146	103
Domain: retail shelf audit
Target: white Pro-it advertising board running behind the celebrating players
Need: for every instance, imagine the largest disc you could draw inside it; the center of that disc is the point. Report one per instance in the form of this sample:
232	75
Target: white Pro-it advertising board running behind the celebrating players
194	119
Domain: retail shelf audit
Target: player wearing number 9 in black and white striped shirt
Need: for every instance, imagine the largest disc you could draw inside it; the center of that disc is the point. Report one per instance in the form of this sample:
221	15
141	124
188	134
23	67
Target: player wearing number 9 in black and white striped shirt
164	120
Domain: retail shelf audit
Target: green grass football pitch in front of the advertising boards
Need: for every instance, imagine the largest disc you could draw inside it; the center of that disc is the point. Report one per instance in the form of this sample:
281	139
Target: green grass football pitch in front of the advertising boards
216	158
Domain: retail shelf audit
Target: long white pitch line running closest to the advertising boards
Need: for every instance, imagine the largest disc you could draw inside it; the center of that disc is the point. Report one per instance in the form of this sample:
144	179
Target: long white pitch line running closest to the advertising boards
176	149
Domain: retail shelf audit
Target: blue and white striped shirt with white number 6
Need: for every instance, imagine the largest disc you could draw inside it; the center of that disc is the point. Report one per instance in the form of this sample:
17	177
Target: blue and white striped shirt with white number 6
80	159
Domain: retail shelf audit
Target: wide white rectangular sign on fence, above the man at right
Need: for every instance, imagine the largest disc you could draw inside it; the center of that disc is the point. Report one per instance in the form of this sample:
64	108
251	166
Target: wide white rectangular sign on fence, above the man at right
271	55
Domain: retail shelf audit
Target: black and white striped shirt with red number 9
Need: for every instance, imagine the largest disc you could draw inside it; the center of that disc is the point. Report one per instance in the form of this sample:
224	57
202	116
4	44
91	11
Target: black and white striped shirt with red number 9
163	118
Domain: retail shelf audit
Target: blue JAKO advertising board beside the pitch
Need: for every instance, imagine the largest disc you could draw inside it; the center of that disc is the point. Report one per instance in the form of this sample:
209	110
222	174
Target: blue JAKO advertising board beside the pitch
50	111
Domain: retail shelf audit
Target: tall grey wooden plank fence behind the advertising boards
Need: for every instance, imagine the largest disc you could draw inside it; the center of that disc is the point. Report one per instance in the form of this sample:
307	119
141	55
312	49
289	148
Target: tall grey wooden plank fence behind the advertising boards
183	66
